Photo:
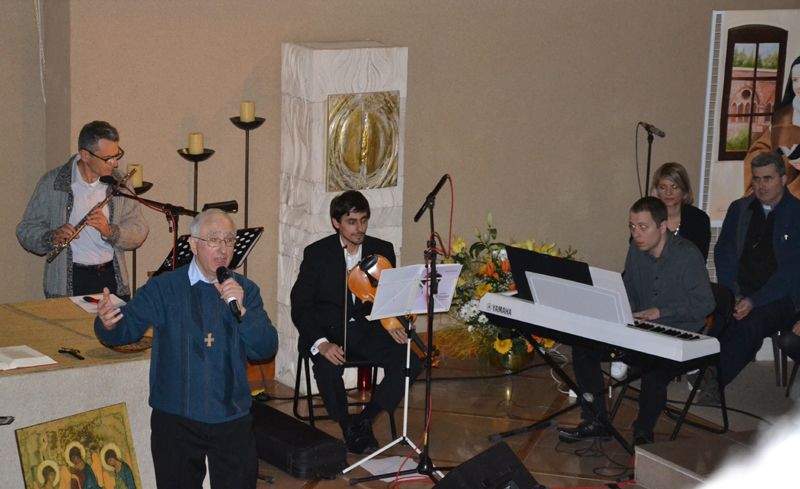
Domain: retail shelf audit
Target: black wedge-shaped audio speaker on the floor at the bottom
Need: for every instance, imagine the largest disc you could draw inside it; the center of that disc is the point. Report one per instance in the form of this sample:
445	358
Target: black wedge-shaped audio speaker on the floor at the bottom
496	468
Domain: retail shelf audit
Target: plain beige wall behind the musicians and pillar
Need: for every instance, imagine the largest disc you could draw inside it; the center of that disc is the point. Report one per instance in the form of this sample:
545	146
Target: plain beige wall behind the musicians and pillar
530	106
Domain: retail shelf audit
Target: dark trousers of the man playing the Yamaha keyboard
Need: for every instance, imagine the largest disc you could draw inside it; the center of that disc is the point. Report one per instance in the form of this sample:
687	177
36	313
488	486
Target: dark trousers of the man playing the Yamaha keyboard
656	376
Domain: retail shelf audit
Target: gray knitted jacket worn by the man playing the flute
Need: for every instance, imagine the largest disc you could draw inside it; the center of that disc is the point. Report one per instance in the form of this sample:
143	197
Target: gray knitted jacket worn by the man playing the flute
50	207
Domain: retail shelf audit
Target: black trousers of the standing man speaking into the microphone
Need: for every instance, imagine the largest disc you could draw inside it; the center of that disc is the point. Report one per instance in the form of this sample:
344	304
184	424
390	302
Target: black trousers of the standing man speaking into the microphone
180	447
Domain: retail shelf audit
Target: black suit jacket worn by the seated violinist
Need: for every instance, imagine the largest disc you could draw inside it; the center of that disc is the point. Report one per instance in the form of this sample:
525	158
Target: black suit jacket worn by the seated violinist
318	295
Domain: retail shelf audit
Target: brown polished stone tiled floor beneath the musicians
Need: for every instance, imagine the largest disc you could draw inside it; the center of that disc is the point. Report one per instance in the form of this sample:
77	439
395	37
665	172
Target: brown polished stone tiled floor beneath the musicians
472	401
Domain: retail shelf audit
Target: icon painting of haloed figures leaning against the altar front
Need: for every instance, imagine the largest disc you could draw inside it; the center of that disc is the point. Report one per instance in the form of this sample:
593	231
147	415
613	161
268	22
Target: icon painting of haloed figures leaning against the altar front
89	450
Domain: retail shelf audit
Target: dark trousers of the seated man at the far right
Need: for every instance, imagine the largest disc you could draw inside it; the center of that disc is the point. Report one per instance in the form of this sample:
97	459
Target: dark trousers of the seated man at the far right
743	338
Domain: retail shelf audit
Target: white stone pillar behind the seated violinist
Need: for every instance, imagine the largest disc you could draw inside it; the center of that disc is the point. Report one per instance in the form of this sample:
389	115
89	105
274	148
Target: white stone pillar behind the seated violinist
310	73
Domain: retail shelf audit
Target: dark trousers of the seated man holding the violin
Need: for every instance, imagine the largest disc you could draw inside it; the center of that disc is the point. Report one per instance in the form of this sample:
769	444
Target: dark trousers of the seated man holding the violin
366	341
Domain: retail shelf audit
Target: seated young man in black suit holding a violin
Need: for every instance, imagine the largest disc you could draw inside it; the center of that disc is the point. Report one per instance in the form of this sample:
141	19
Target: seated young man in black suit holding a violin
322	305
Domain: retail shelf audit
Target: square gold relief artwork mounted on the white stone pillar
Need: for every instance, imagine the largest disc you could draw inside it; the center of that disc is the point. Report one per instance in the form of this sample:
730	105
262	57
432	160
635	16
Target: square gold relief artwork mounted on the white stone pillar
363	141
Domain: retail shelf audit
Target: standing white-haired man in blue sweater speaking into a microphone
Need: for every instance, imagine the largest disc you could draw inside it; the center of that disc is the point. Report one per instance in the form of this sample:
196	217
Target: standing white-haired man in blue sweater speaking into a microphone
198	379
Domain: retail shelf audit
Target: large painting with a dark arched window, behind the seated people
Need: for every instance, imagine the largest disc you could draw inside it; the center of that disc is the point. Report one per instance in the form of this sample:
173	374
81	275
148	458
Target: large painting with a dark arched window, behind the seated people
750	109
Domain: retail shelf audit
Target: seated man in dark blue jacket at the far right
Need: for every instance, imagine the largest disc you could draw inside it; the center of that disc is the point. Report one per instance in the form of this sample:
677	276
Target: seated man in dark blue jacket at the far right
758	257
